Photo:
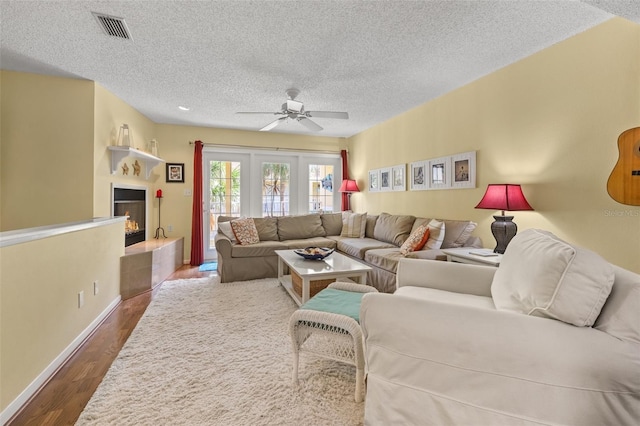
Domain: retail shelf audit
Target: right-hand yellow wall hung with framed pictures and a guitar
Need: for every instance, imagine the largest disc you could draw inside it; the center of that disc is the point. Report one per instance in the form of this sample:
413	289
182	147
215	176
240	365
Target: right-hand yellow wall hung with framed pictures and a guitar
549	122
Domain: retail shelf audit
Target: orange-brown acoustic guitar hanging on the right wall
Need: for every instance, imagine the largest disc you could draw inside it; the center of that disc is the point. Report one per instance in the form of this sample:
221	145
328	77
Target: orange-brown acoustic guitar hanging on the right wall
624	182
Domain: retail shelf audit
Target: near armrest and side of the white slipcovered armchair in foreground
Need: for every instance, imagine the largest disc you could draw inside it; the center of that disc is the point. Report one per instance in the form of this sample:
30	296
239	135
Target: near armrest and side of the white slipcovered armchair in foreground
521	366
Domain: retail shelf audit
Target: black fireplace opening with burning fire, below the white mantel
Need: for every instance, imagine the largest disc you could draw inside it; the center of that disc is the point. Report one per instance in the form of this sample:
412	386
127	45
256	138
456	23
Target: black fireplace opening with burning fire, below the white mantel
131	202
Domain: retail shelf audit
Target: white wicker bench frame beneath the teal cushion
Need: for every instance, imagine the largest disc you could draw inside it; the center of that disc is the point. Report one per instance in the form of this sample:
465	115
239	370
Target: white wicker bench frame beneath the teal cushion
331	335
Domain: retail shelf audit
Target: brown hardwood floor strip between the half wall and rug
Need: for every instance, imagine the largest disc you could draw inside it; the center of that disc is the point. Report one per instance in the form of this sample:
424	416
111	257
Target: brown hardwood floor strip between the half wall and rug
63	398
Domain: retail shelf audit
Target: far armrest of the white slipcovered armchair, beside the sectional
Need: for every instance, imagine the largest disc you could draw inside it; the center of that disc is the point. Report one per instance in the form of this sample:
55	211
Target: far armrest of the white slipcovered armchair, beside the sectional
448	276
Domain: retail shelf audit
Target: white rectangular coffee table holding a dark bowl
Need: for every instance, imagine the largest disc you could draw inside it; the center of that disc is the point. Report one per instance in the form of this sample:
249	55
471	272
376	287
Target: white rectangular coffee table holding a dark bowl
332	267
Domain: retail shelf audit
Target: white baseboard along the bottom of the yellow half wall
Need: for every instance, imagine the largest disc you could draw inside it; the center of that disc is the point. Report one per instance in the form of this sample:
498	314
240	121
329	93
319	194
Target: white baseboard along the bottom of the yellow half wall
43	378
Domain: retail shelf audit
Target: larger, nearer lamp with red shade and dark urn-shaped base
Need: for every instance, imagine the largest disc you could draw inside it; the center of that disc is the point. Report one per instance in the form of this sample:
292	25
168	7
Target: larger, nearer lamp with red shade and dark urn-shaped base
503	197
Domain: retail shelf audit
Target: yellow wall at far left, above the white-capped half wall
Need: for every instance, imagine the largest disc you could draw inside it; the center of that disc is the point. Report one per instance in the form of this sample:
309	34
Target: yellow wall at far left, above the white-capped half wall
46	156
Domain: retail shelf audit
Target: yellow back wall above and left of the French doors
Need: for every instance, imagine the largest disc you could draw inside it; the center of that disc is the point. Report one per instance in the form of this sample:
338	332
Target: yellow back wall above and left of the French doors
174	148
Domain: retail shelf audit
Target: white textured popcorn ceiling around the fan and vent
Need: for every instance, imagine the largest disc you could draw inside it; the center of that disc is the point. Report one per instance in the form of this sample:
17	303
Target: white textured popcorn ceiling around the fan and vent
373	59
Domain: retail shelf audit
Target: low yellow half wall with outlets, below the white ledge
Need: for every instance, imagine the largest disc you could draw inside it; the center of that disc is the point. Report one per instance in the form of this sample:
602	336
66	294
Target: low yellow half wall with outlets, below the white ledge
39	304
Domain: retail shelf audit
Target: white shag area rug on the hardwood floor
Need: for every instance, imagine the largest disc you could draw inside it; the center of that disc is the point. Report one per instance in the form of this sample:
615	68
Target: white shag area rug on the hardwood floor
206	353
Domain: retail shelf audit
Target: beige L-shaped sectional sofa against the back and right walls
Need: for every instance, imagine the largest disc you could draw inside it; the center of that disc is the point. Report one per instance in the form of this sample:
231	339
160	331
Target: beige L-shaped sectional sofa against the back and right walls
378	248
